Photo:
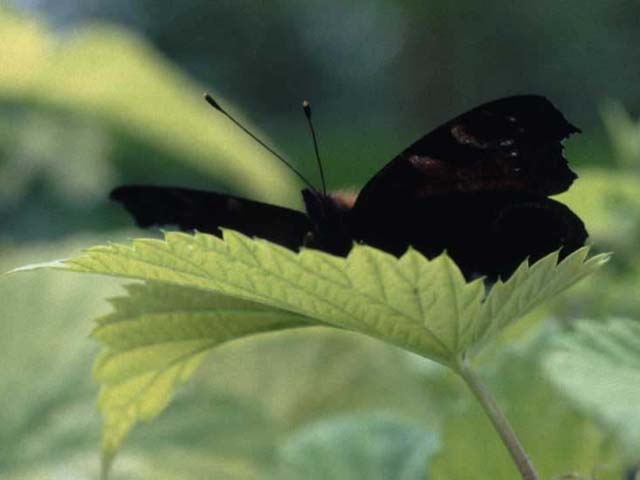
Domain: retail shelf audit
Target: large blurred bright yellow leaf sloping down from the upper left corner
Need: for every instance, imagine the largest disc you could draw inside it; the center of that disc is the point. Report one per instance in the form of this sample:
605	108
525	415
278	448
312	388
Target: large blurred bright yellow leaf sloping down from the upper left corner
116	77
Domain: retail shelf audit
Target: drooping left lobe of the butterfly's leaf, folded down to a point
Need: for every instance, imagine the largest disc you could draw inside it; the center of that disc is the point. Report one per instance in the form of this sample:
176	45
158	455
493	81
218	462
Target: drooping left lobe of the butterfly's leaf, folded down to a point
155	338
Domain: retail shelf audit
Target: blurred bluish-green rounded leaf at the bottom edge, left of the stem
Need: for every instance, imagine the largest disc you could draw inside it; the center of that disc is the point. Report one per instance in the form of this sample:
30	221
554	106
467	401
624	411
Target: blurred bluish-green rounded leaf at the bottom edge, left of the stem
356	447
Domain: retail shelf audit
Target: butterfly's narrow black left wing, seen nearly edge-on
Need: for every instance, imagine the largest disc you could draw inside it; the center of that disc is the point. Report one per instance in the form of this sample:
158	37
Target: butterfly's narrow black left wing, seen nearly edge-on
209	211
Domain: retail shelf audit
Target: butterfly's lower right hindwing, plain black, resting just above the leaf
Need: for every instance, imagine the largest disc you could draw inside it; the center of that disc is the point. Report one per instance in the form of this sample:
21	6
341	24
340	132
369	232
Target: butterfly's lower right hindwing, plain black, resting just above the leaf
486	233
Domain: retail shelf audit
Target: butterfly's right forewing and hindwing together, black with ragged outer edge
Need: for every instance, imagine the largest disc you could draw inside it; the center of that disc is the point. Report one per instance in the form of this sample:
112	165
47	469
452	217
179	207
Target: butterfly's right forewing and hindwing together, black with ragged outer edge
477	186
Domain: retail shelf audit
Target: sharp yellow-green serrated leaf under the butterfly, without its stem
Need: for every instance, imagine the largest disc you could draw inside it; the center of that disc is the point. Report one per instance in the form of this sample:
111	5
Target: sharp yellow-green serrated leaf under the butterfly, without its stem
160	333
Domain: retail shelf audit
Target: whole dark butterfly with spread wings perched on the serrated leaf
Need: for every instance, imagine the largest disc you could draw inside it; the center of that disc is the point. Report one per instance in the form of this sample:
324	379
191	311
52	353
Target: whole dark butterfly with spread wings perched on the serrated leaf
476	187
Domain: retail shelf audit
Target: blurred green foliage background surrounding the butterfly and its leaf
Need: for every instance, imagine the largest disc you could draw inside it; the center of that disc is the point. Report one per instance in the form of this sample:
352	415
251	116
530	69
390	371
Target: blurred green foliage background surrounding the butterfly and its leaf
98	93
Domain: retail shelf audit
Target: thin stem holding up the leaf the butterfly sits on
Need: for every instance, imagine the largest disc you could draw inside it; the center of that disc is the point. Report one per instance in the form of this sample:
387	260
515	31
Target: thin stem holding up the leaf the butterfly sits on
499	421
